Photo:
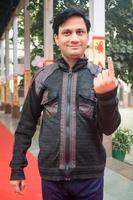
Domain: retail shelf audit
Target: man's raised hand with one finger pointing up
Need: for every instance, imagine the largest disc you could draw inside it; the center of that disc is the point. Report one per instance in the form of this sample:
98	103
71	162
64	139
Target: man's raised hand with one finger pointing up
106	80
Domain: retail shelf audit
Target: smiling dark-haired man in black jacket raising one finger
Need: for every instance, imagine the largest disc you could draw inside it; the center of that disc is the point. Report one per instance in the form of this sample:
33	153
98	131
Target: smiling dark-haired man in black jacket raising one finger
79	105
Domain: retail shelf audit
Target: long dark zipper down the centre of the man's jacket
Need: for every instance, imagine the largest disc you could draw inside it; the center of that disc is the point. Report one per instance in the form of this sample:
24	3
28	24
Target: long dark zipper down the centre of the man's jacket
67	146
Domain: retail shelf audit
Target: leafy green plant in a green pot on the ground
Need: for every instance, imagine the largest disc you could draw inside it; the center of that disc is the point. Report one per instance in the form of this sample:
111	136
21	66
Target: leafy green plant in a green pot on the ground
122	141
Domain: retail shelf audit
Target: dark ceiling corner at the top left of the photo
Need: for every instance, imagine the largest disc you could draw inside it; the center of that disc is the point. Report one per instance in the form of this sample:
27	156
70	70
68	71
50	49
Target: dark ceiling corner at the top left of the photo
7	8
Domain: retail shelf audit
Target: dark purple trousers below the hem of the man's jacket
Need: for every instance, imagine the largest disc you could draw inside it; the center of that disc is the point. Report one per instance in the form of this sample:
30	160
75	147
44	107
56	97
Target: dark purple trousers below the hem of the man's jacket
89	189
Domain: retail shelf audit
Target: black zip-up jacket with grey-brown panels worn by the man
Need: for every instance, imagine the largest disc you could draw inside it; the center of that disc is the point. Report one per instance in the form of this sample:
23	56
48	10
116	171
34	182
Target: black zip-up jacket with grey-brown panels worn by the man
73	122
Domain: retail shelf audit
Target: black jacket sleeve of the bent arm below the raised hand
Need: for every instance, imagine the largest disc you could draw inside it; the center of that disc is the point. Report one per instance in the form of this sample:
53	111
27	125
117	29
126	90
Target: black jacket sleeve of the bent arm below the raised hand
108	116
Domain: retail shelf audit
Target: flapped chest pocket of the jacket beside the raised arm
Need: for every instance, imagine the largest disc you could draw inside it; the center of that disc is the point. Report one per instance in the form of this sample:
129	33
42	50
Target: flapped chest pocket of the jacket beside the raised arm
87	103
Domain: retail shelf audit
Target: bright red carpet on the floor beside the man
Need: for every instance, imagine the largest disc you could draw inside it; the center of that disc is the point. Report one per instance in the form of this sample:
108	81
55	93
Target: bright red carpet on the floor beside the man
33	187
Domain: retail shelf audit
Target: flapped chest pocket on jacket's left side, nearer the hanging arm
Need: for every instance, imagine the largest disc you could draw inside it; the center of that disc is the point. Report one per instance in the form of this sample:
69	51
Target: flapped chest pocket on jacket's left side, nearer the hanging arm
50	102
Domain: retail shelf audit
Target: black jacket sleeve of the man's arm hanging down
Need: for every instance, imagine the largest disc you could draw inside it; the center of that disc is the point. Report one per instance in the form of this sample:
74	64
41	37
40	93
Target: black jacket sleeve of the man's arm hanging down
25	130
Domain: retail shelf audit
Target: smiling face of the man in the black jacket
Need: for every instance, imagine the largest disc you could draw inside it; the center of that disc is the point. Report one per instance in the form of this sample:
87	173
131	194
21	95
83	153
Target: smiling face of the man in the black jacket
72	38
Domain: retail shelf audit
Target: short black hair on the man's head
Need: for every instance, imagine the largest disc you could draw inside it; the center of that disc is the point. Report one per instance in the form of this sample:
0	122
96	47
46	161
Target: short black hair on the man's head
65	14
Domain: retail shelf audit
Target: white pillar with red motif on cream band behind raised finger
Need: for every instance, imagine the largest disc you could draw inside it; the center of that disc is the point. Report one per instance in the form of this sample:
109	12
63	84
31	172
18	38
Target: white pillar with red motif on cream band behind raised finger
97	18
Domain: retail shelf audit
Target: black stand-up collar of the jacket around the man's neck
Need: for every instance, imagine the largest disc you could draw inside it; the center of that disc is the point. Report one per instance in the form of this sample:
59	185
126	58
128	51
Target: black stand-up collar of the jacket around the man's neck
82	62
